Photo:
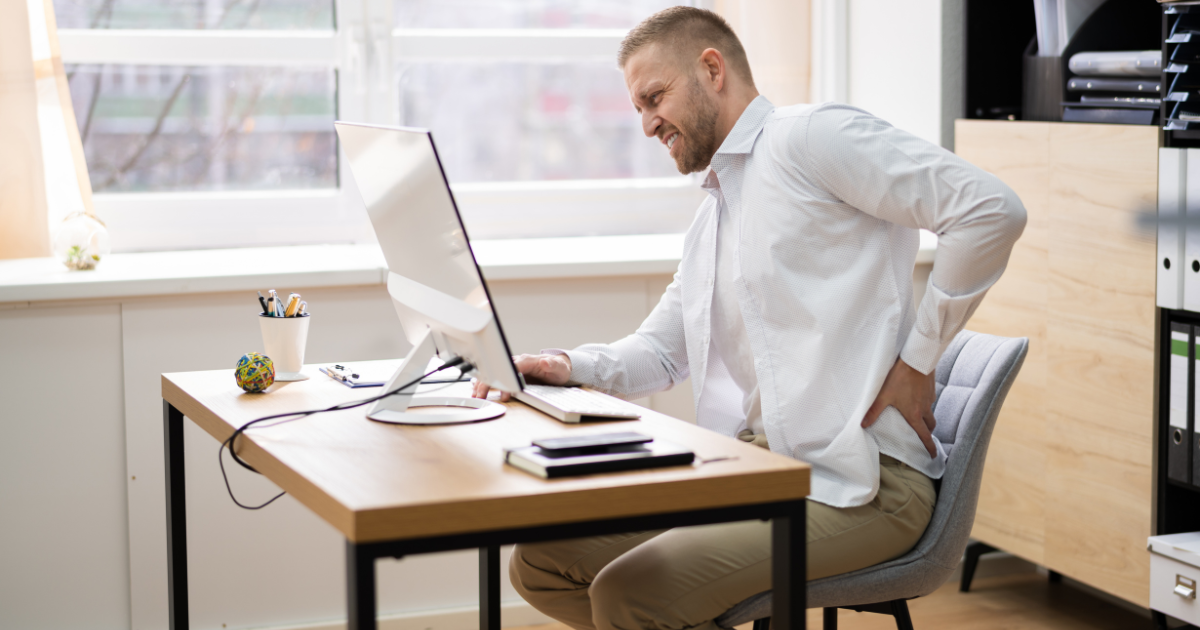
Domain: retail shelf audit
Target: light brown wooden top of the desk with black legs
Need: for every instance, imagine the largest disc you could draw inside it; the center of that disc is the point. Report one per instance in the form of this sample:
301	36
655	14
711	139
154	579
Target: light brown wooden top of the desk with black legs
376	482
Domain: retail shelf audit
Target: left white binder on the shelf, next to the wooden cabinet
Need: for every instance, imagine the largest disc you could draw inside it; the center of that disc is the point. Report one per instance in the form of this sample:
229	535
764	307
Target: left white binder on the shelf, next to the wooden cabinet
1172	200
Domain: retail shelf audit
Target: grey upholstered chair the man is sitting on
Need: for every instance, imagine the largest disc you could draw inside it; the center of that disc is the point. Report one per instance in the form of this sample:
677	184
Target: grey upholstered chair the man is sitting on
974	377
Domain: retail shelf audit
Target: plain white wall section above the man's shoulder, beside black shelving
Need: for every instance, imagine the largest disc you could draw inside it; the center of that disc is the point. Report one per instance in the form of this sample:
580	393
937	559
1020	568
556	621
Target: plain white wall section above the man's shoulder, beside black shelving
904	63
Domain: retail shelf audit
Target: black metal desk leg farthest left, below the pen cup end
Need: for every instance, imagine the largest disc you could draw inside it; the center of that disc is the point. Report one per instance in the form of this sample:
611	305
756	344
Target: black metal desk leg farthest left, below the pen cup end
177	518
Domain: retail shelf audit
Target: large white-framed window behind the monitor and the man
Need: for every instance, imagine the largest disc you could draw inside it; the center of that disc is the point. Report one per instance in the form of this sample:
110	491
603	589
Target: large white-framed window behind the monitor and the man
211	124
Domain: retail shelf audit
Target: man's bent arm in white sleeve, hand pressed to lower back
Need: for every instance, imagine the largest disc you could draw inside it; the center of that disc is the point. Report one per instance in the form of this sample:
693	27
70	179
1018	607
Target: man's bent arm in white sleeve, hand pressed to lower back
903	179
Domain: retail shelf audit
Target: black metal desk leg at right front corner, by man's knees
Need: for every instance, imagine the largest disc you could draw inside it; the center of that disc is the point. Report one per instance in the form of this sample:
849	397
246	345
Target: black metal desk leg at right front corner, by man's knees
789	568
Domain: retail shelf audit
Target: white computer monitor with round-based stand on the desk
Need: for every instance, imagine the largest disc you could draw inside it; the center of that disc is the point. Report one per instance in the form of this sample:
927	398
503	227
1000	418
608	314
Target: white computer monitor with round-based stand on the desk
434	280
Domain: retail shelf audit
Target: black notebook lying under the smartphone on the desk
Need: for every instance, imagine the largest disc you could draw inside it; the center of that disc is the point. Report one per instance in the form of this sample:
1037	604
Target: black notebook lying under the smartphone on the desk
550	465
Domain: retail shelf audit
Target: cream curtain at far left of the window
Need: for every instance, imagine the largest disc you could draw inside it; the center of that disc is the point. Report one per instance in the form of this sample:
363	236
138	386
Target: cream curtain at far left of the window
44	177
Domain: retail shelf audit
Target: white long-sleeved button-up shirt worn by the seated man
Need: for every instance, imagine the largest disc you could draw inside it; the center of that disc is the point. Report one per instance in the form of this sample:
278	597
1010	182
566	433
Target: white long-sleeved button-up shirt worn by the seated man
820	207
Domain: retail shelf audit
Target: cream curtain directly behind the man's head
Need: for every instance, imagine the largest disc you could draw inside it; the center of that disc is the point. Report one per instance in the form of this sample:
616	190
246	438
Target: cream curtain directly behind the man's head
778	38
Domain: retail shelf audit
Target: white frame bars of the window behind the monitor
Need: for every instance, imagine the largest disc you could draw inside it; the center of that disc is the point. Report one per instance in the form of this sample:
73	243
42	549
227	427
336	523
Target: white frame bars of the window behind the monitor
364	52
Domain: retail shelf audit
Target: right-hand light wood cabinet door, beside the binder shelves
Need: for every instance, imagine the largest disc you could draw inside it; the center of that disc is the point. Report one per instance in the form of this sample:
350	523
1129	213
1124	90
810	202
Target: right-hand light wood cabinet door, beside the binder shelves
1101	345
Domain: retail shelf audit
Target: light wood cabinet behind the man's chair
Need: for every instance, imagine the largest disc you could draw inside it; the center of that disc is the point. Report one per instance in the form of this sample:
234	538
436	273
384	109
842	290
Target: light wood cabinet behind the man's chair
1067	484
